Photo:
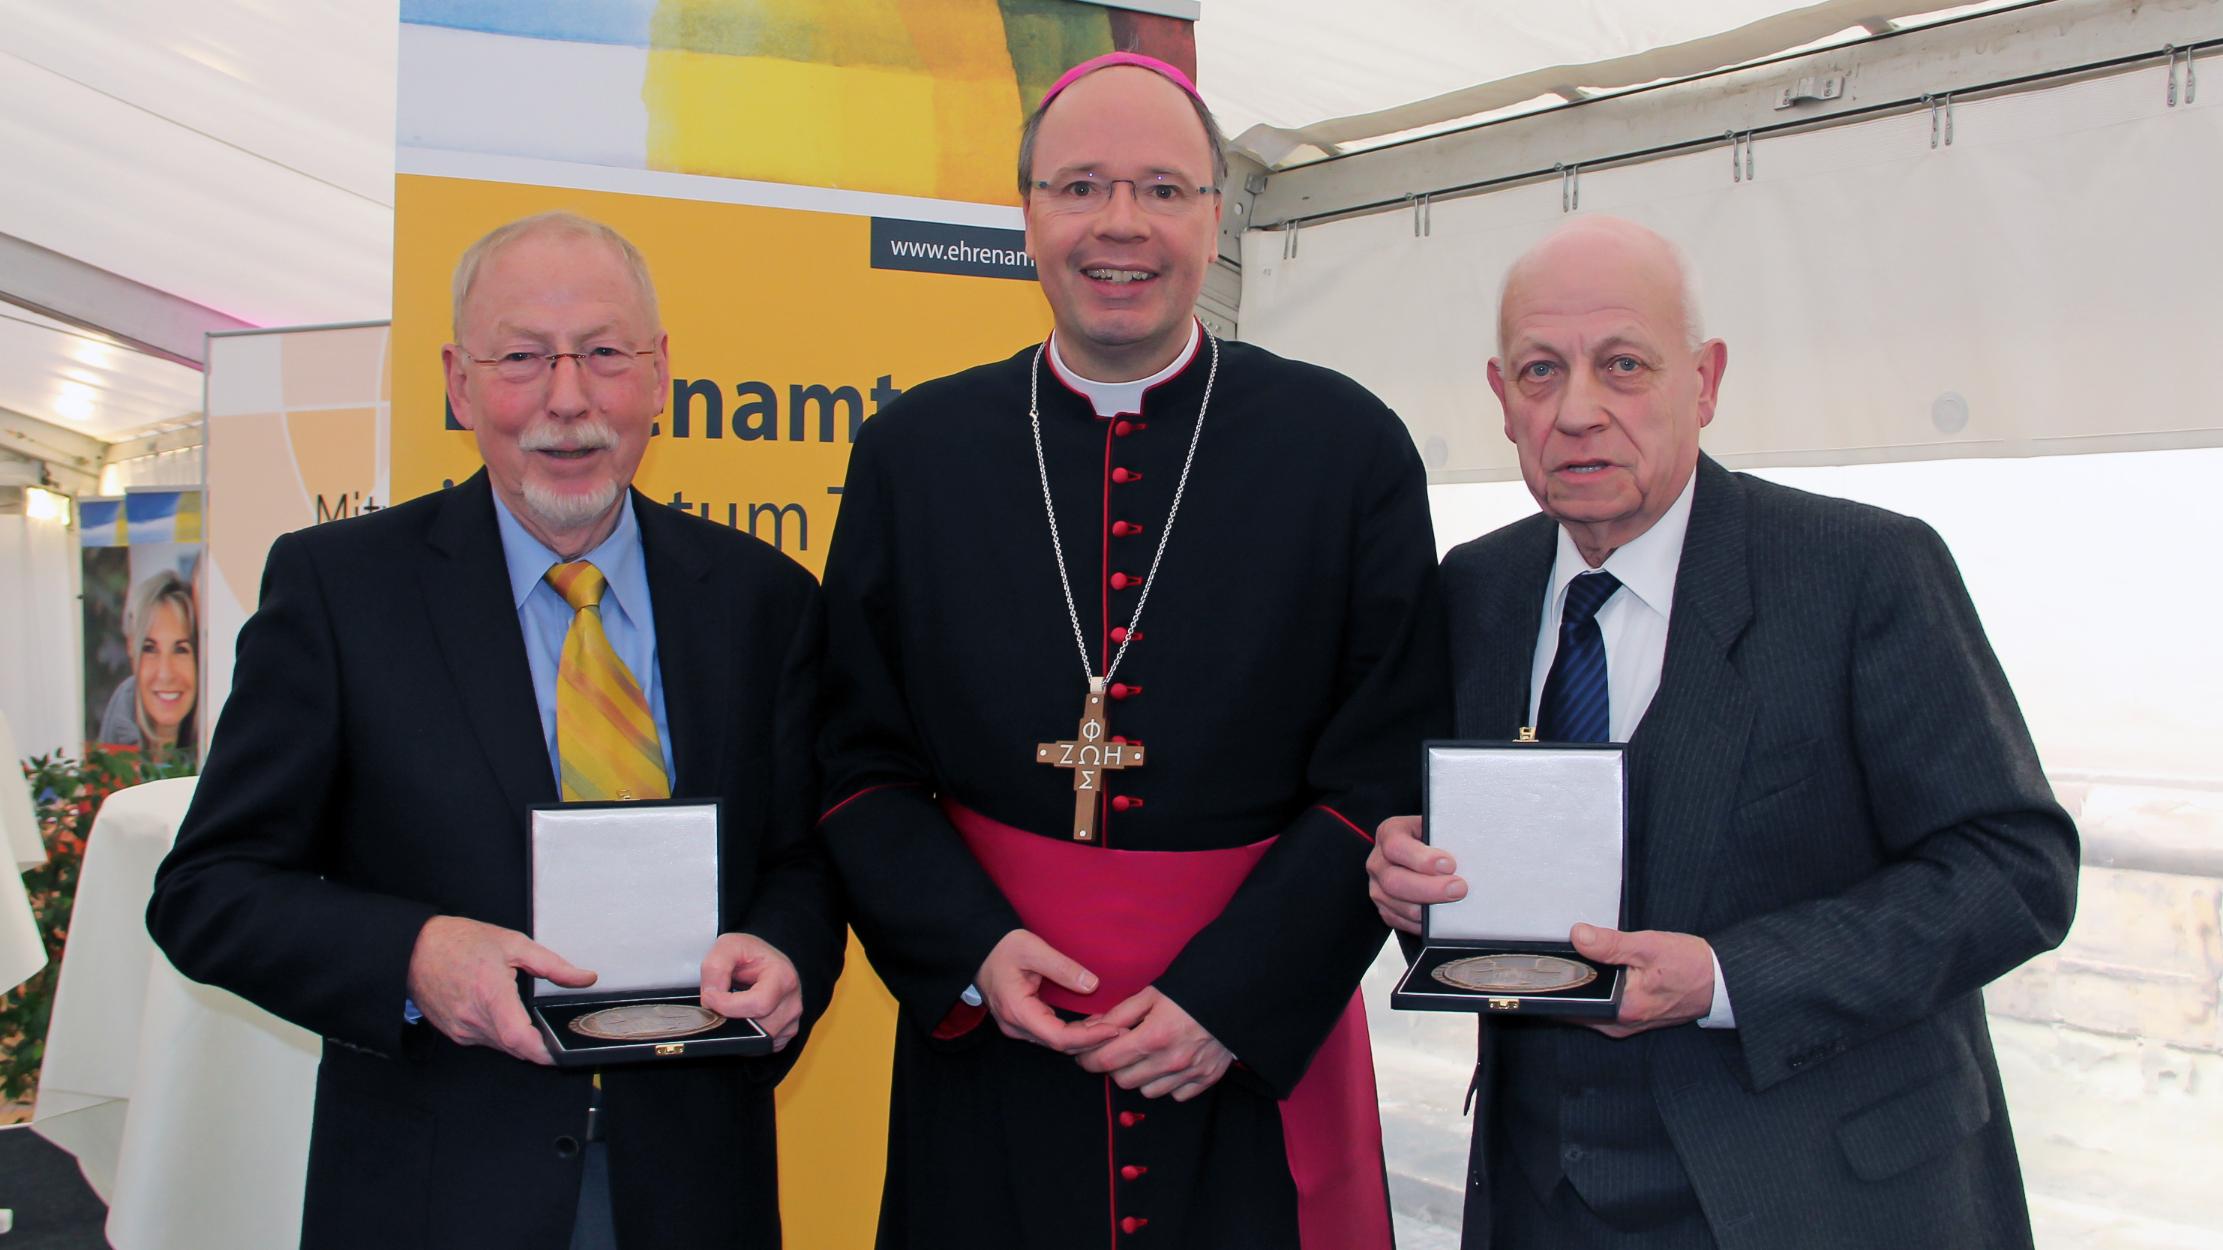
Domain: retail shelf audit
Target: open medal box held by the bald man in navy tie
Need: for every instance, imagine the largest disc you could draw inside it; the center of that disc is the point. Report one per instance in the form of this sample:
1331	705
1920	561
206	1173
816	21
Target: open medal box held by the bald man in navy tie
1539	833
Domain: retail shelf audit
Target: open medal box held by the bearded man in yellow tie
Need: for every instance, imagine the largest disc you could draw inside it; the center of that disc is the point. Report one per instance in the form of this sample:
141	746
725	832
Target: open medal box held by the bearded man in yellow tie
632	893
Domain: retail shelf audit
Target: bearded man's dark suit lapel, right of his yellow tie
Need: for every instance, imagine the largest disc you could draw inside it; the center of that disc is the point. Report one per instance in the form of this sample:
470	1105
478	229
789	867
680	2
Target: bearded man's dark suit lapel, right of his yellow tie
695	646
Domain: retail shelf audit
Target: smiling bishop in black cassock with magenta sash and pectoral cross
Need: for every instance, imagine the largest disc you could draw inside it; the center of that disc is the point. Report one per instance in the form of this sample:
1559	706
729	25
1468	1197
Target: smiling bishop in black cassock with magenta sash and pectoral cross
1124	675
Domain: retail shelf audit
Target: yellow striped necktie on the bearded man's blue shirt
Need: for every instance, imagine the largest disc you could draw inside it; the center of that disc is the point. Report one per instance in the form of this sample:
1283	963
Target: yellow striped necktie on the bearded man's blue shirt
606	737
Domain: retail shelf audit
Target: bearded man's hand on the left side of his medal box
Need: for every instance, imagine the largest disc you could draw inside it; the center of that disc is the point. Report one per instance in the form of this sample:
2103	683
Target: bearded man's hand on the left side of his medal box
463	978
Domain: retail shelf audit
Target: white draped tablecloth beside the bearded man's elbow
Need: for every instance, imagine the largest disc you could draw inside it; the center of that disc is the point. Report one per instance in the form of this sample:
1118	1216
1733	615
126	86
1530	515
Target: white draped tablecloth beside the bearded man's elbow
186	1107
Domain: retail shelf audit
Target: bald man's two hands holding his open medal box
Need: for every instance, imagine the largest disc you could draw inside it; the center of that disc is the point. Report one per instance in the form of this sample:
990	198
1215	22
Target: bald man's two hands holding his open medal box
1671	978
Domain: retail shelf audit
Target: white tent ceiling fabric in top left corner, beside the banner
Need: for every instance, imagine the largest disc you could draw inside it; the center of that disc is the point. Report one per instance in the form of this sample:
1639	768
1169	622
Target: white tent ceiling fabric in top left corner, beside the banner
232	152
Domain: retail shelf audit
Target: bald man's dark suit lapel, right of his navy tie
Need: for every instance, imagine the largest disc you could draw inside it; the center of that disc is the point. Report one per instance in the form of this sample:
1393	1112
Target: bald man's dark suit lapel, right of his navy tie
1688	753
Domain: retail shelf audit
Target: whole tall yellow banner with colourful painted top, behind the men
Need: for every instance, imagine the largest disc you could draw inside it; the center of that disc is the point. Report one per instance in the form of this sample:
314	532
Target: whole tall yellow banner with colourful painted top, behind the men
826	197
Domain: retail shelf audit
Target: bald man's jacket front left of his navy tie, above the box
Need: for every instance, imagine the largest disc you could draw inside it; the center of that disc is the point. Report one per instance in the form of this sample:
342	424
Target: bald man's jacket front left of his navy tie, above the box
1495	617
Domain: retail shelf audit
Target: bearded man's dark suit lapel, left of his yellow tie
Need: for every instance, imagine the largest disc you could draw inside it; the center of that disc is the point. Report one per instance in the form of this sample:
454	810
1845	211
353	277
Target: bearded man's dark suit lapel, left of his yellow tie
477	626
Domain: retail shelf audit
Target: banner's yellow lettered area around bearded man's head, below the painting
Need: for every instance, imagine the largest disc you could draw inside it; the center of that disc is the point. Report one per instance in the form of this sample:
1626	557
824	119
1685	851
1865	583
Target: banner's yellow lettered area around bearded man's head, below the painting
784	341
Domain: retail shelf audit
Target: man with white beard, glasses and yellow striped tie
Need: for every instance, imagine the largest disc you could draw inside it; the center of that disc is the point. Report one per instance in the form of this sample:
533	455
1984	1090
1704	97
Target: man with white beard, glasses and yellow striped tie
410	686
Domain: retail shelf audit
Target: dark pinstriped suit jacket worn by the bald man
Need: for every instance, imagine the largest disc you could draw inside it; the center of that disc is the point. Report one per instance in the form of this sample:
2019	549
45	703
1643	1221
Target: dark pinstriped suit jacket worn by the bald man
1835	788
